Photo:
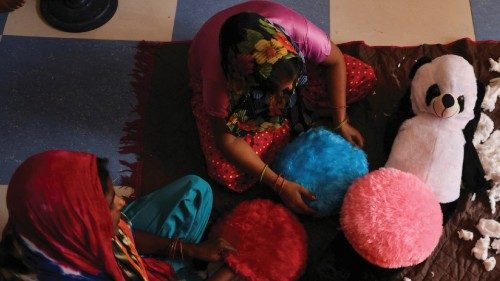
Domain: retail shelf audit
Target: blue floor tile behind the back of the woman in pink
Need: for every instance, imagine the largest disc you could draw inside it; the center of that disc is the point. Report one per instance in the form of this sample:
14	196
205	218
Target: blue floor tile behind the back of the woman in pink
191	14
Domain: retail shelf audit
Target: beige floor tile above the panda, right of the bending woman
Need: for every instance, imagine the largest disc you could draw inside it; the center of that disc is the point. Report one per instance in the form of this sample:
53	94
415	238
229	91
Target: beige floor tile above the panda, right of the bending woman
400	23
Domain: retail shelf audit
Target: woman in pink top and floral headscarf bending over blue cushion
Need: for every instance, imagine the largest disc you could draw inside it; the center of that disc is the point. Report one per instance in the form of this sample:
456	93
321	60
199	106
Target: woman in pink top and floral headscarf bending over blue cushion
246	64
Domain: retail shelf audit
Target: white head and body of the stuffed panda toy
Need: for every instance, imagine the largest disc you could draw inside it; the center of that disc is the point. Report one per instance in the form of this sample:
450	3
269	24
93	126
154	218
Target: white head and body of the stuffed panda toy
431	144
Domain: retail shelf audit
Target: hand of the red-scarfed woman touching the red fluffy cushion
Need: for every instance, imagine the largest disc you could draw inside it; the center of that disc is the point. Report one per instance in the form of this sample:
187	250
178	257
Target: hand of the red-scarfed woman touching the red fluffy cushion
211	250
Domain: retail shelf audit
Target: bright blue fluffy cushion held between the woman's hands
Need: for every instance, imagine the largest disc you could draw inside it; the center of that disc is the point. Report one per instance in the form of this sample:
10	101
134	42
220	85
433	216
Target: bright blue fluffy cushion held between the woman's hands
325	163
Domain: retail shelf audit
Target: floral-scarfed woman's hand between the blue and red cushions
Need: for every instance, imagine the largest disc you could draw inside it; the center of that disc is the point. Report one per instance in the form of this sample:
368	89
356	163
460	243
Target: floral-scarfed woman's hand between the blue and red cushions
292	194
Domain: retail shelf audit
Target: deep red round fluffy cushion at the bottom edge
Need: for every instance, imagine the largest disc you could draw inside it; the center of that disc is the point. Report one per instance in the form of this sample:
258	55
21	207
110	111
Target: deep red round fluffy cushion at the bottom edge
270	241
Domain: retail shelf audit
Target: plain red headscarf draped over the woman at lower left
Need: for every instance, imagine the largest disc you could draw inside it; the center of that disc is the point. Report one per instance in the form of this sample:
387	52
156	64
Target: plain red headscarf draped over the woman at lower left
55	200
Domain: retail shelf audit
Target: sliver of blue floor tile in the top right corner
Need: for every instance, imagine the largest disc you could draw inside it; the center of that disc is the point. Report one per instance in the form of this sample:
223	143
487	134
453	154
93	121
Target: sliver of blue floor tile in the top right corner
485	15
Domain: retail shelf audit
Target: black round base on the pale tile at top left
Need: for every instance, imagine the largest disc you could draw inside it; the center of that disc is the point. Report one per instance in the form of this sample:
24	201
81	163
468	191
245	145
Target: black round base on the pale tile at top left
77	15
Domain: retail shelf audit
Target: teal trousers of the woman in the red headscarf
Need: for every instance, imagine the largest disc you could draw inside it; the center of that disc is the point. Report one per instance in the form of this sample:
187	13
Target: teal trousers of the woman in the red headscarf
180	210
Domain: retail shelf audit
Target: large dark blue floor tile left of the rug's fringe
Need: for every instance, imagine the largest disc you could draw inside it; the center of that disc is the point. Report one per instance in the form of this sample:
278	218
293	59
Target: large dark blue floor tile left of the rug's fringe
58	93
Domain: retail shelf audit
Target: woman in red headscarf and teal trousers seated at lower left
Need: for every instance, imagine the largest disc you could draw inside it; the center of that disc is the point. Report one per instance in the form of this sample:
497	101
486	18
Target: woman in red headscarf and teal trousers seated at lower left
66	220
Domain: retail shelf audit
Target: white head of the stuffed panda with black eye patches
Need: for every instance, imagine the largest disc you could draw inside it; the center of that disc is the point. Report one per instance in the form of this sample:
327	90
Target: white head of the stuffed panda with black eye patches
445	88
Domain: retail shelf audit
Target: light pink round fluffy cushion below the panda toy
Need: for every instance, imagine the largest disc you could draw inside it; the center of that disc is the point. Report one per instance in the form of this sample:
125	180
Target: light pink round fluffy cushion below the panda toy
391	218
